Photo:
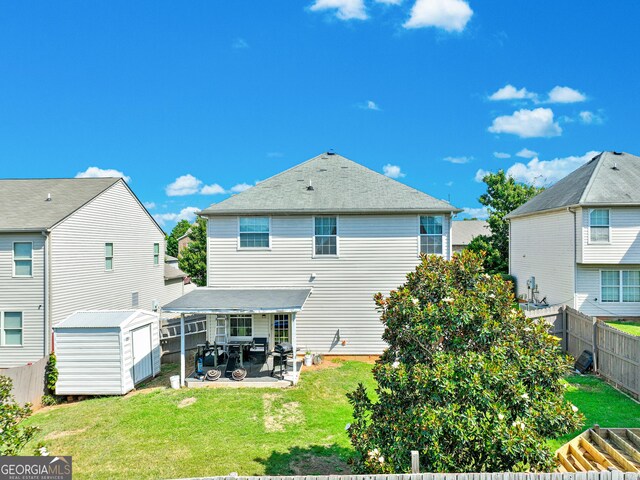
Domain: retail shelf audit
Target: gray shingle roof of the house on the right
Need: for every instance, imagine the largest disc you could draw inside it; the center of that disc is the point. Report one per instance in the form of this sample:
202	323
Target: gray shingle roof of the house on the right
610	178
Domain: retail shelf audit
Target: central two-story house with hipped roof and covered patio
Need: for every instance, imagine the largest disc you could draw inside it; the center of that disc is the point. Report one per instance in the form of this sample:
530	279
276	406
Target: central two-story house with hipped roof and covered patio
298	257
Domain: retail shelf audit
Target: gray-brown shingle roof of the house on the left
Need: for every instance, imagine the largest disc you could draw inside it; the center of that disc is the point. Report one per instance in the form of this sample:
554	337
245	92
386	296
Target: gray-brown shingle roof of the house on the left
24	205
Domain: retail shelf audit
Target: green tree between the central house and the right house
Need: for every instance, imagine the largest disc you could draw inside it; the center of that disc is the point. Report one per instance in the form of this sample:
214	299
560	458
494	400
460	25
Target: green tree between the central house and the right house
503	196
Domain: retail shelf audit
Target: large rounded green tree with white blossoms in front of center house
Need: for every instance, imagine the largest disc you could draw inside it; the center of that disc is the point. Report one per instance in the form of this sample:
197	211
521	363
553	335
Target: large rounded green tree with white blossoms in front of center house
467	380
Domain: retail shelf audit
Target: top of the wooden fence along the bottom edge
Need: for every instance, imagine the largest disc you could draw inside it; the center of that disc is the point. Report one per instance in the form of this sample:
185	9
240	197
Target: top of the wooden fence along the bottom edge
614	475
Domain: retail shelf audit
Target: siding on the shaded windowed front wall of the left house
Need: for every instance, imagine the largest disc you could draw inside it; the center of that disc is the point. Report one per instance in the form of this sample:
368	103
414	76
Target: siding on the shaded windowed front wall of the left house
24	295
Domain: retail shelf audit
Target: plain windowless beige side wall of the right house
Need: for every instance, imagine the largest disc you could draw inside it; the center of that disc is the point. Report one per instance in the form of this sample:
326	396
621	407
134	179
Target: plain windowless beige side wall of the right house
543	246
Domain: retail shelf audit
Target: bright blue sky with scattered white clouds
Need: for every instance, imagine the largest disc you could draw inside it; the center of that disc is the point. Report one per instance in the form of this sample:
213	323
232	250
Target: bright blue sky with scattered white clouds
193	101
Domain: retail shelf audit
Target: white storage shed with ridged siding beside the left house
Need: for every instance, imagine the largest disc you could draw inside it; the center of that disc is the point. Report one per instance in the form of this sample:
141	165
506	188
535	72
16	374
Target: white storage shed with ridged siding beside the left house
106	352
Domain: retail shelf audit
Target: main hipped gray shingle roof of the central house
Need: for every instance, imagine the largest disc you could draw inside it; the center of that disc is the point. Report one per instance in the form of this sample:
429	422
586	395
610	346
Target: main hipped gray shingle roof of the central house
339	185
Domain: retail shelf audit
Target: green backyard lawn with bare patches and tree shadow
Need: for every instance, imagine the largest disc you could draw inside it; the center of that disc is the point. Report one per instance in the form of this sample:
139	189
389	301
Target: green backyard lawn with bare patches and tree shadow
253	432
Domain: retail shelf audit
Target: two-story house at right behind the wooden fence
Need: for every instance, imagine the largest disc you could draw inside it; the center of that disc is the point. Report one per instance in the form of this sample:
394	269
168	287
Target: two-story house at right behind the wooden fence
580	239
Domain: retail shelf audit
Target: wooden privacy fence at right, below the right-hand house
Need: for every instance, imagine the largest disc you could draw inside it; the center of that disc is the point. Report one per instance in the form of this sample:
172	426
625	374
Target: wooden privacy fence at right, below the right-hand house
616	354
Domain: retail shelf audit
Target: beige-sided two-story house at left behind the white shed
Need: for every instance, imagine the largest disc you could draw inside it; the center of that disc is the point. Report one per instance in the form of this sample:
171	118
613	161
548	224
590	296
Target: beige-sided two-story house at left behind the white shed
68	245
